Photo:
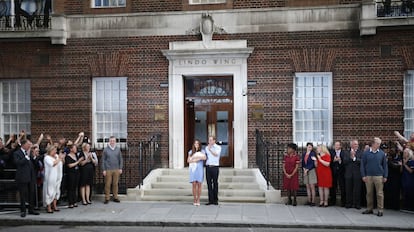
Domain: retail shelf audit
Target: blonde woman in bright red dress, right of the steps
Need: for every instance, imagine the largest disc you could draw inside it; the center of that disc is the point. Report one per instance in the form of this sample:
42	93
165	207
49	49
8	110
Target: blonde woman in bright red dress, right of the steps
324	174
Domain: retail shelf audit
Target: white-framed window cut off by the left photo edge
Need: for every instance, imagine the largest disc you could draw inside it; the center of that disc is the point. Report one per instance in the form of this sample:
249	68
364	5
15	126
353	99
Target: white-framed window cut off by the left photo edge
15	108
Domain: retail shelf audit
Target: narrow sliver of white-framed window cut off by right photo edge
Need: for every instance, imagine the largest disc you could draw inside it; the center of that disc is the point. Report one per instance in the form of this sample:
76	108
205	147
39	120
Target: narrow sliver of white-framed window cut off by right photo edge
409	103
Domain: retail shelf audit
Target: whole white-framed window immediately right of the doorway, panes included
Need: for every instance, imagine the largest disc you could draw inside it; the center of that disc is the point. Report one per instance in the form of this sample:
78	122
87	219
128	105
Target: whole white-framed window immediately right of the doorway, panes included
312	108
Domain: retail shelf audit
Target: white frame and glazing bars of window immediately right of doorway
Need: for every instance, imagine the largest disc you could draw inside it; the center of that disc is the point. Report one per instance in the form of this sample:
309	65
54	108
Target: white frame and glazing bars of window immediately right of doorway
325	137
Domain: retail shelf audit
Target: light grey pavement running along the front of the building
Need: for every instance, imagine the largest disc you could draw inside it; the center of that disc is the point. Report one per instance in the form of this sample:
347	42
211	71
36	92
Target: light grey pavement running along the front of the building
141	213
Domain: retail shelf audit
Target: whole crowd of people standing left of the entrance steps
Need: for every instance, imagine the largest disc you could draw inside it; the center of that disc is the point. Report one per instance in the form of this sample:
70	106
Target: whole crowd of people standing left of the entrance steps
46	170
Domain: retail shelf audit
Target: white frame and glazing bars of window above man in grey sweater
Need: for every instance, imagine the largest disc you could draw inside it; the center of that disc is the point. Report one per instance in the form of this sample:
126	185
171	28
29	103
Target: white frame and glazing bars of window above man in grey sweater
123	114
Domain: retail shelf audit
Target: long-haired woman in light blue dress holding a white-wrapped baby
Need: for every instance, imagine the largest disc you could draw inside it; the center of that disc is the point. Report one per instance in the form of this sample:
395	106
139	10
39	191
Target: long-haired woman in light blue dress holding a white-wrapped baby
195	160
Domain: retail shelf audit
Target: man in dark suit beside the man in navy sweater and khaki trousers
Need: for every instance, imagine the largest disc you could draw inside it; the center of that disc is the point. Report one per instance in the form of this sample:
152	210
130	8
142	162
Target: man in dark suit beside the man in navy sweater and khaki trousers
353	179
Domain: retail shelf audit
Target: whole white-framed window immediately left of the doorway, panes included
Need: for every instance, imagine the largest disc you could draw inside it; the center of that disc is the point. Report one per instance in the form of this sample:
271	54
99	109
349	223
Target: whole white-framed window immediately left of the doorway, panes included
109	105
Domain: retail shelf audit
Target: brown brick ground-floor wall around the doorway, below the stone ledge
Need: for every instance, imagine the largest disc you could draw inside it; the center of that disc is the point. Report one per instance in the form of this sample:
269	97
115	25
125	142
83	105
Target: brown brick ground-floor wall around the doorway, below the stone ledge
367	84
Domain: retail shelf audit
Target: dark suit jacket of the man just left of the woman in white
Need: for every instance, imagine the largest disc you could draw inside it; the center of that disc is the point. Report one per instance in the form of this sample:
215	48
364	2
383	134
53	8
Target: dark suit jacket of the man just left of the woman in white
24	168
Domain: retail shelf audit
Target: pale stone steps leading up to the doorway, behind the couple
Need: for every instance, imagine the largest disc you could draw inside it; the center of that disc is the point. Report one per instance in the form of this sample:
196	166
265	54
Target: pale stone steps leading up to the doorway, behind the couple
235	185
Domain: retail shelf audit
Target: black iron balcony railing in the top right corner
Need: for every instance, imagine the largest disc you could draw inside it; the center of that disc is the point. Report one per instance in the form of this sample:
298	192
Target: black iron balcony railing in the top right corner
395	8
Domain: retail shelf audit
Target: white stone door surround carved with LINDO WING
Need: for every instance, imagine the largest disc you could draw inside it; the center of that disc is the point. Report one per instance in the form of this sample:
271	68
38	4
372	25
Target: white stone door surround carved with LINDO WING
215	58
